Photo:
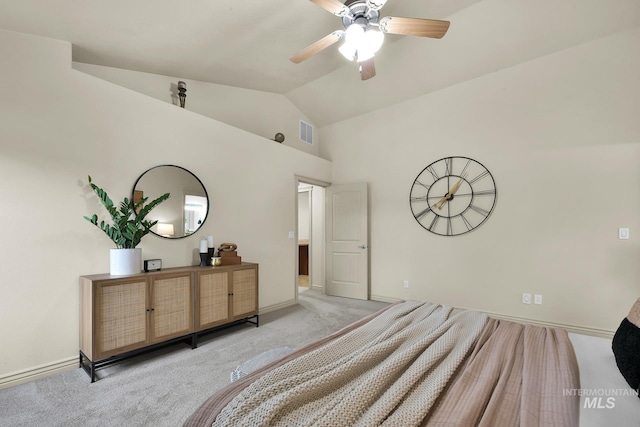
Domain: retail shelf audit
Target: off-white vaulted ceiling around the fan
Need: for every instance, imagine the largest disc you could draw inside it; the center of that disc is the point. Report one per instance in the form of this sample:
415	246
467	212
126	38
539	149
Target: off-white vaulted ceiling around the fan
248	43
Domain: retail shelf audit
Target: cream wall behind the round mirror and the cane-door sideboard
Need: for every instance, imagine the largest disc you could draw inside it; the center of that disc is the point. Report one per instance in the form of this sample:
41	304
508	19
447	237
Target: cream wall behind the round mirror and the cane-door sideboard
59	125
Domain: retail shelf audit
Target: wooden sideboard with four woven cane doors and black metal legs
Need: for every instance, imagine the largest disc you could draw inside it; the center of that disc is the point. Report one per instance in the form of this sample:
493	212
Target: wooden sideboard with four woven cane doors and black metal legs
122	315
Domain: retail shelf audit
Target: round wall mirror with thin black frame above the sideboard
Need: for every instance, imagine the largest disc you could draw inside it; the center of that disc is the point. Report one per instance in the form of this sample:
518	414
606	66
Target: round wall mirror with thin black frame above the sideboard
187	207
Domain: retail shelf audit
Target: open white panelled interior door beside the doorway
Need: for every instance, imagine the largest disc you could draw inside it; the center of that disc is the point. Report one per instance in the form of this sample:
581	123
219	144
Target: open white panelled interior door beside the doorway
347	242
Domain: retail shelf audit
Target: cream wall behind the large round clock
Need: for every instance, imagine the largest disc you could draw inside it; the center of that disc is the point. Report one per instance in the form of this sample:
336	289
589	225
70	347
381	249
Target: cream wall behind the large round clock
561	137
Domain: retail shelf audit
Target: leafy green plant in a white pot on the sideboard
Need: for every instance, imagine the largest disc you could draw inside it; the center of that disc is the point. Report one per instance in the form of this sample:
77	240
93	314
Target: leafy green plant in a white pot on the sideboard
128	227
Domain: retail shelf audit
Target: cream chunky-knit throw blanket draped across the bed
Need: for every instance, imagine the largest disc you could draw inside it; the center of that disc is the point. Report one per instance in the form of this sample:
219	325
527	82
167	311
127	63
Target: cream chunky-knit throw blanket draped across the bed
390	371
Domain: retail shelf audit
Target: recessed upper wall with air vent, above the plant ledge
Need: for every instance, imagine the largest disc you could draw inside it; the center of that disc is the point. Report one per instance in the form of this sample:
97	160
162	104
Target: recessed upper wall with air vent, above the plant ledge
261	113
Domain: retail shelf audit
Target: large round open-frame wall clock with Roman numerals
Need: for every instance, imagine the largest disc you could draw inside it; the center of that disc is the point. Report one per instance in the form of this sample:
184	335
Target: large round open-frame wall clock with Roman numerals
453	196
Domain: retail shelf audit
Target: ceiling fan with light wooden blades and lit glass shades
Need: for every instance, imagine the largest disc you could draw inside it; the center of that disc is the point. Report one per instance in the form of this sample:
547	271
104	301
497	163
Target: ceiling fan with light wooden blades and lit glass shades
362	40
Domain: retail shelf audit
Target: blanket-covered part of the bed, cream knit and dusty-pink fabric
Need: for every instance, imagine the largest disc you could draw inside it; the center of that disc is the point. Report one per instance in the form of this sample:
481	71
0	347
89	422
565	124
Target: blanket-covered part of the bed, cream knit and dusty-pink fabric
411	364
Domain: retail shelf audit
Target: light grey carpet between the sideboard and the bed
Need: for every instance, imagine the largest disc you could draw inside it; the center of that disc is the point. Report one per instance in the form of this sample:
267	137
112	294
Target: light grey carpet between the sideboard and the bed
164	387
